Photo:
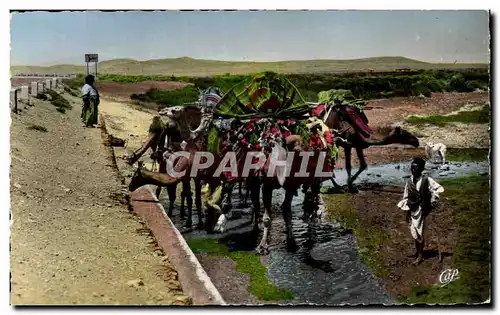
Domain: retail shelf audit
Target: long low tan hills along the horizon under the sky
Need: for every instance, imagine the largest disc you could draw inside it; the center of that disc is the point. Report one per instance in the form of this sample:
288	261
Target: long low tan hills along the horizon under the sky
198	67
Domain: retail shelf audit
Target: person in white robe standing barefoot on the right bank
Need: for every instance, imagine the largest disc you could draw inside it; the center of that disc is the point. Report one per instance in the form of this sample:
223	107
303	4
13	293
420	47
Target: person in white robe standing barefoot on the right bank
420	197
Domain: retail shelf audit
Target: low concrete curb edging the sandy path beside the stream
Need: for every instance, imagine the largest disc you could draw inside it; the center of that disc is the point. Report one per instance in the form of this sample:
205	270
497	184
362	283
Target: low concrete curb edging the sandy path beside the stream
193	279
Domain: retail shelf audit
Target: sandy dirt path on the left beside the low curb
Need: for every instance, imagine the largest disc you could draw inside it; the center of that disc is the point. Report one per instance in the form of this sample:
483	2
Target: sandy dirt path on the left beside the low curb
72	240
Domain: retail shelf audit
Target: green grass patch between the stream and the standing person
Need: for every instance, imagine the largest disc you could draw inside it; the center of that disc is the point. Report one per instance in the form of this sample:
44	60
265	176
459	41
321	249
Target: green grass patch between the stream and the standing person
370	238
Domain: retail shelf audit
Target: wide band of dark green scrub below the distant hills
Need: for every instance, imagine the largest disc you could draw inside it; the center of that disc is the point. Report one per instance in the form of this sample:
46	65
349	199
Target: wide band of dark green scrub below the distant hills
365	85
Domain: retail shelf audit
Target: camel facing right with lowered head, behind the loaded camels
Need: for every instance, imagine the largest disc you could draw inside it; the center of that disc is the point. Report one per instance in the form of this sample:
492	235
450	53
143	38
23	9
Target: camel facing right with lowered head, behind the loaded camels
359	140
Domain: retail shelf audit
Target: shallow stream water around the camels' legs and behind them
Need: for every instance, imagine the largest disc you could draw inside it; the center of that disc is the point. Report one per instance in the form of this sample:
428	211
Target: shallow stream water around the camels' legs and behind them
327	268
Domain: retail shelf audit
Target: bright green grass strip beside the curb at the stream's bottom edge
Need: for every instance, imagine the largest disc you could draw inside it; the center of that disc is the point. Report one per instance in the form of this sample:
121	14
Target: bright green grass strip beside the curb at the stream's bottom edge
248	263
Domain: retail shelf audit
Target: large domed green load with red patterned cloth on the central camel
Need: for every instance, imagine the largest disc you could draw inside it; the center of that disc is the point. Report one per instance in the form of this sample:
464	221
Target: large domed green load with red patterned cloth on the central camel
263	111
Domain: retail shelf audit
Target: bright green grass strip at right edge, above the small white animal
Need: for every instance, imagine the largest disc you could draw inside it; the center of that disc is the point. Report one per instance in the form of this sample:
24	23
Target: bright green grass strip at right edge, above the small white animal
480	116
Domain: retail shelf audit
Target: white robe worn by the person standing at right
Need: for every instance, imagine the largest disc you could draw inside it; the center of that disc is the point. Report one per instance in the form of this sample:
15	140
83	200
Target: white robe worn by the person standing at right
417	219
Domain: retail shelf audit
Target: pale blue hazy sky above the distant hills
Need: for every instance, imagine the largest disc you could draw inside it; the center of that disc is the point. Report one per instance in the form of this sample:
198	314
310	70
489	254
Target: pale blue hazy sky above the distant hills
44	38
